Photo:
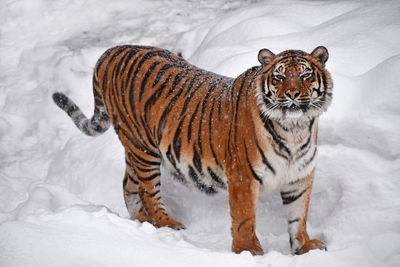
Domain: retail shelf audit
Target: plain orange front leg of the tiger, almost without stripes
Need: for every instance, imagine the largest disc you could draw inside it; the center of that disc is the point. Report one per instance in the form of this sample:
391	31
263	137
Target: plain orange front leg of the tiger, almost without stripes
243	195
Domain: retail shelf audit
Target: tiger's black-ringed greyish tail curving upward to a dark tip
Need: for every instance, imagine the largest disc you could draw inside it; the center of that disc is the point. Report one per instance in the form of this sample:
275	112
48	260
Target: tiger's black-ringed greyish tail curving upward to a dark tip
98	124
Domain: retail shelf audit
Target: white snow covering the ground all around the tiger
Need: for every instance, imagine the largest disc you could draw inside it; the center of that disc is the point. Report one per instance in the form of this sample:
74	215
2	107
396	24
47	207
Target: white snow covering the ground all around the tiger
61	198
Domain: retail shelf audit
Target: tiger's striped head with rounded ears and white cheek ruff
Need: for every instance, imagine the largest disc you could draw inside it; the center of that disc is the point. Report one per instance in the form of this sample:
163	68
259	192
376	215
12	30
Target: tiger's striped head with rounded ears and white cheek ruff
294	85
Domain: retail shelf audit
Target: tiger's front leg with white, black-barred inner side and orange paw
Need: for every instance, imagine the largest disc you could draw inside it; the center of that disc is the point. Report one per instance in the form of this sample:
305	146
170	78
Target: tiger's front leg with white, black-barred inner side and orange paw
296	198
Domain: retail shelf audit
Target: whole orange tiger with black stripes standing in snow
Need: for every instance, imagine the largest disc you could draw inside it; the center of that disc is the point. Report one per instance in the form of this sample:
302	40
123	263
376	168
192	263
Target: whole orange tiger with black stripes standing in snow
250	134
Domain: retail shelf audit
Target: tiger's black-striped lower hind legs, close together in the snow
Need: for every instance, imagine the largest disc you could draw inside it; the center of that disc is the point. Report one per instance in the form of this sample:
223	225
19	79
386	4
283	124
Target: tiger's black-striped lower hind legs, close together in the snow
142	191
